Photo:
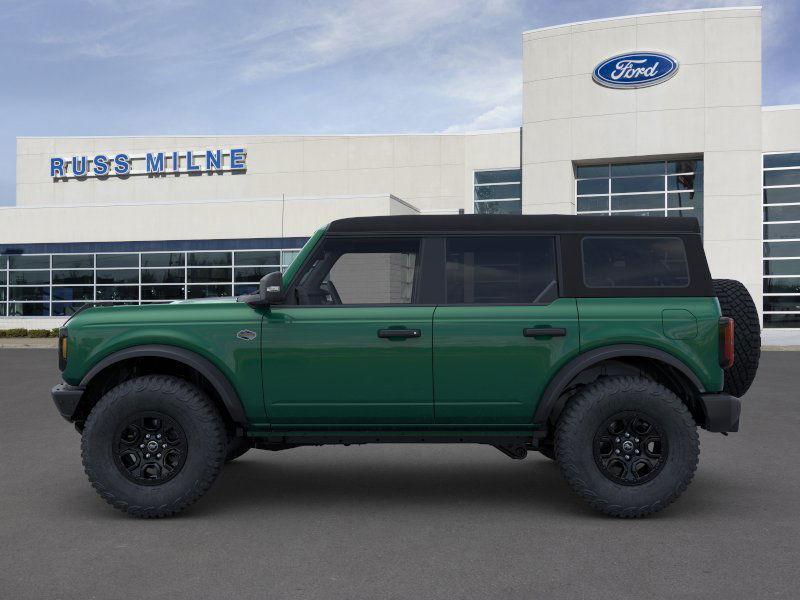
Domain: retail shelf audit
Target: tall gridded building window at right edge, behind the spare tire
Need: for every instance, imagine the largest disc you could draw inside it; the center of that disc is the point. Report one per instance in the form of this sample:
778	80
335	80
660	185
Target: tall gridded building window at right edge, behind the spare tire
782	240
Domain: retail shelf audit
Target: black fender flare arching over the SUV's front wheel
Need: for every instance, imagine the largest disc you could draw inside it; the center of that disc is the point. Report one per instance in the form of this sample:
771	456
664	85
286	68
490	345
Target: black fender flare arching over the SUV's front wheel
202	365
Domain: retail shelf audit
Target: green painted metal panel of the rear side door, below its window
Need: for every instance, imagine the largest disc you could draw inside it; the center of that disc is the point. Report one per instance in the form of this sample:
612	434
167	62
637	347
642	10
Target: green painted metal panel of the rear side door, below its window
486	370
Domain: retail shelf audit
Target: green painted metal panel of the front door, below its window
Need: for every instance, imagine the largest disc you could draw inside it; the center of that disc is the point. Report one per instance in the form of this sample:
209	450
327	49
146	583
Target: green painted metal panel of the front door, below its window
328	365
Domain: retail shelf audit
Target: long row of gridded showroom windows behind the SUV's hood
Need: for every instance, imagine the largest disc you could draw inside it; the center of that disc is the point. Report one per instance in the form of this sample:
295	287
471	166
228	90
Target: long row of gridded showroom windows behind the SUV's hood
42	285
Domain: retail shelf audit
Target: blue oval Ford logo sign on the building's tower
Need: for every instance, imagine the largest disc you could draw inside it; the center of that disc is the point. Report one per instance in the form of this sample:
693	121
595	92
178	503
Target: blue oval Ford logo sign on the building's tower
635	69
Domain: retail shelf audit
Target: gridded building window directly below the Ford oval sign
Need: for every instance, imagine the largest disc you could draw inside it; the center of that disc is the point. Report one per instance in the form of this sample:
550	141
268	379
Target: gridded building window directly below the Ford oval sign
671	188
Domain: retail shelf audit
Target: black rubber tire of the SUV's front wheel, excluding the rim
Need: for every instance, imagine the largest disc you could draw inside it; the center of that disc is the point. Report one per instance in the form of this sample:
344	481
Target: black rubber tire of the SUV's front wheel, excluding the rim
186	405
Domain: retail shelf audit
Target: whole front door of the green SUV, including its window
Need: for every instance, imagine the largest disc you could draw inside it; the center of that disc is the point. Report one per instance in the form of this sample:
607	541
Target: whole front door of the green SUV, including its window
356	348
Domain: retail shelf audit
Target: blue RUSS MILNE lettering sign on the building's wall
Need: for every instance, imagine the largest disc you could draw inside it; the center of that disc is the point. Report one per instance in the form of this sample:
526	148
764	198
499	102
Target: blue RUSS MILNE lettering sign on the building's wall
151	163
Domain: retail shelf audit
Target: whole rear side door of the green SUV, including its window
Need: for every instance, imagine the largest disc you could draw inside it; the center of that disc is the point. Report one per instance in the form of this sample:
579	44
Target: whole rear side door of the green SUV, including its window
503	331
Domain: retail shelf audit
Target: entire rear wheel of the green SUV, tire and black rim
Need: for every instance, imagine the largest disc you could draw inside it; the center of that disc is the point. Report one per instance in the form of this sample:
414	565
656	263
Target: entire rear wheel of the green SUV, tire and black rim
627	445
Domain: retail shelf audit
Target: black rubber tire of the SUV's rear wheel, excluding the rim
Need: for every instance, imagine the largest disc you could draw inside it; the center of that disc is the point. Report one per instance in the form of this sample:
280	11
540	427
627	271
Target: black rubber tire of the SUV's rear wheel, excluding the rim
586	413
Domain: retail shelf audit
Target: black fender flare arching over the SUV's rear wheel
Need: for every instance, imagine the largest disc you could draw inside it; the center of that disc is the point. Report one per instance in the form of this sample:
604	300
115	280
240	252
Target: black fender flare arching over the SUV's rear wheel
587	359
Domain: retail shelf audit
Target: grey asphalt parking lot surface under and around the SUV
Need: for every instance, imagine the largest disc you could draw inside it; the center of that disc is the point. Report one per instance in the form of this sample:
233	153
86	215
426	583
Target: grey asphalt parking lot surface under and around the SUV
399	521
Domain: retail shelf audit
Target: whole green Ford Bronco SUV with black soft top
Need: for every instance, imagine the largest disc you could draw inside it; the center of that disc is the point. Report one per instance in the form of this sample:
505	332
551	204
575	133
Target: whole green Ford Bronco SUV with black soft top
600	342
